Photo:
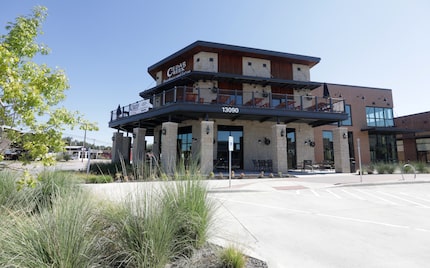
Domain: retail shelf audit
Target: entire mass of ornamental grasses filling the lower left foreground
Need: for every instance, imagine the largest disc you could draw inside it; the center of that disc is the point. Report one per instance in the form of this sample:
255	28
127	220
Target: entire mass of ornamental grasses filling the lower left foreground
48	220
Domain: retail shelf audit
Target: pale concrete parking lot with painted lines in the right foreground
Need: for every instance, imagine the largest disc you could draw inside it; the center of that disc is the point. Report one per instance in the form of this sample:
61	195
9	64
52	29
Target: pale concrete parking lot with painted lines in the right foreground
308	223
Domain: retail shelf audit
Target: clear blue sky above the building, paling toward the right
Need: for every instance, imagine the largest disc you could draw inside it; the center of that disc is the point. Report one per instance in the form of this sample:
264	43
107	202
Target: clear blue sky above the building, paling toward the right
105	46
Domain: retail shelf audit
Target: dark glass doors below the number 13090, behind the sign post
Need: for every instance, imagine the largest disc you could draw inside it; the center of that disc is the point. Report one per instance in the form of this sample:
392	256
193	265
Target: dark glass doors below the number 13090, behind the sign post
222	152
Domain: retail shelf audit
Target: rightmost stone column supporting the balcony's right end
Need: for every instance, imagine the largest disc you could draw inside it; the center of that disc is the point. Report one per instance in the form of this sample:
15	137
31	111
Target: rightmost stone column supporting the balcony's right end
341	150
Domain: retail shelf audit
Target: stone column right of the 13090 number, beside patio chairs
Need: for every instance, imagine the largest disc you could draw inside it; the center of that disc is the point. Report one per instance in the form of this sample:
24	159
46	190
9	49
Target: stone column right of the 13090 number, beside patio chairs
279	155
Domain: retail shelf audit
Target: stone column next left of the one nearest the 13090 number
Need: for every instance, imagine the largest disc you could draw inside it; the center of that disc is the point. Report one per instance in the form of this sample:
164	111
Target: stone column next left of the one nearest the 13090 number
169	143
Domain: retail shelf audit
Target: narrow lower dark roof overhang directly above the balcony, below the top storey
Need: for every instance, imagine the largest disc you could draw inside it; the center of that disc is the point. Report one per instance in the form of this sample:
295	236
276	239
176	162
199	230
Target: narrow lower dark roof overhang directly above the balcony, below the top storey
195	76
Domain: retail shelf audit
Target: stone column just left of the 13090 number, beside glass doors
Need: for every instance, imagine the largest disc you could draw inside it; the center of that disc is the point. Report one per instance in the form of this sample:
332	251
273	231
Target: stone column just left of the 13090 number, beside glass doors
206	146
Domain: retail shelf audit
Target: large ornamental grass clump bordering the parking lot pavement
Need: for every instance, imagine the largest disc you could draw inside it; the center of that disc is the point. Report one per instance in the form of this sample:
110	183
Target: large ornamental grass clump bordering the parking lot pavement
157	225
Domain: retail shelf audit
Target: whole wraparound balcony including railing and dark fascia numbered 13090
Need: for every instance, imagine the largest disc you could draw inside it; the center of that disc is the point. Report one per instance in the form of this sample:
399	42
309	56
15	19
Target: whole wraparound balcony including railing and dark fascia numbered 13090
191	102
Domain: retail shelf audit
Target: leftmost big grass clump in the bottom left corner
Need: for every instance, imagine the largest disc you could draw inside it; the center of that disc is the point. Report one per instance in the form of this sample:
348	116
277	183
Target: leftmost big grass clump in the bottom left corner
60	236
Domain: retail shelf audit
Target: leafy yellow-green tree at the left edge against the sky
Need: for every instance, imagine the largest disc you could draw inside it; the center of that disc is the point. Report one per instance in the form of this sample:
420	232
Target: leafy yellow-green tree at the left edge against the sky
30	93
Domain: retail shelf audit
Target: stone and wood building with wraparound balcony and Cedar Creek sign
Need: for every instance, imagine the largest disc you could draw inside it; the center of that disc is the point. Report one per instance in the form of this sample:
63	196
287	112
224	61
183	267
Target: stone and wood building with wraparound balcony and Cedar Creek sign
208	91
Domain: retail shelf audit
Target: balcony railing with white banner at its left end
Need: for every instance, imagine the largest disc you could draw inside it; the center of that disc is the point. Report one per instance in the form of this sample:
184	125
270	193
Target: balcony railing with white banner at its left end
239	98
